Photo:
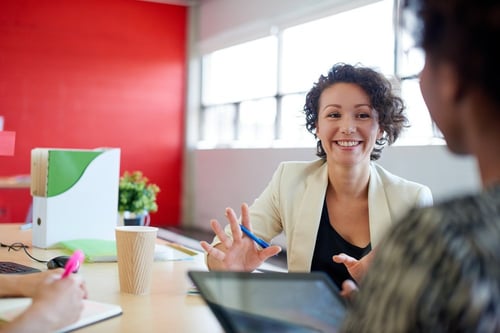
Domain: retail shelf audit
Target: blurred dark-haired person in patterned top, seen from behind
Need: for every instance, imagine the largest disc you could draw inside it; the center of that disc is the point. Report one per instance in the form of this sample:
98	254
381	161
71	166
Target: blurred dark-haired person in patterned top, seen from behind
439	271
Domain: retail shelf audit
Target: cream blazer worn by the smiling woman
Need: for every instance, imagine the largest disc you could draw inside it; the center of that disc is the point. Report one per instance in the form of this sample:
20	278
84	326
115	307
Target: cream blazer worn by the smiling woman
293	201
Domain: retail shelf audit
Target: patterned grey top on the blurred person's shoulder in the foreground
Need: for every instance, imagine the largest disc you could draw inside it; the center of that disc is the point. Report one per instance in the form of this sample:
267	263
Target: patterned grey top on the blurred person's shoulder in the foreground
448	253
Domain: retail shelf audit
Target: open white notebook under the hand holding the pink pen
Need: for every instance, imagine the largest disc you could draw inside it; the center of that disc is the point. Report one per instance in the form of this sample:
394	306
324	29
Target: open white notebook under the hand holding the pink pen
93	312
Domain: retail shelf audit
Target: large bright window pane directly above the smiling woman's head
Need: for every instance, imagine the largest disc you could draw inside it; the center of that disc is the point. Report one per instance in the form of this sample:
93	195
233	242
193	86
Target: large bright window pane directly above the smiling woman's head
361	35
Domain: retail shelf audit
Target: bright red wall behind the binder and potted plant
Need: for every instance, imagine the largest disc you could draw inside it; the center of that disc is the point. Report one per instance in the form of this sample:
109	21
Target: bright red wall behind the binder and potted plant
95	73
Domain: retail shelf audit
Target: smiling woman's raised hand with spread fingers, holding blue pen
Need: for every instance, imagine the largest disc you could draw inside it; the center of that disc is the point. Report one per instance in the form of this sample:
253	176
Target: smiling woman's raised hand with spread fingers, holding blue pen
239	253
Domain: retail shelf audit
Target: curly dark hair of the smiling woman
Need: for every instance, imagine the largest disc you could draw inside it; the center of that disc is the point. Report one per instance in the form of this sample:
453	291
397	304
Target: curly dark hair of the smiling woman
390	108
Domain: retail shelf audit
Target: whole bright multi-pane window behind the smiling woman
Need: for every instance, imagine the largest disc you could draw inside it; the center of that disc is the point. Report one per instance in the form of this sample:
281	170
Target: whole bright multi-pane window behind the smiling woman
253	93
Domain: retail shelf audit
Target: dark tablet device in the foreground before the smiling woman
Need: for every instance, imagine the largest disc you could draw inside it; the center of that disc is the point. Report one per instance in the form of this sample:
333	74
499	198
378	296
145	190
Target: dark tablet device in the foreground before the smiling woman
275	302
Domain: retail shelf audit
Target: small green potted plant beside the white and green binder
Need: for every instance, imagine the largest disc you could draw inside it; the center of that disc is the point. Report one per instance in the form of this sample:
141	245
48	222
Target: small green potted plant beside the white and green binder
136	198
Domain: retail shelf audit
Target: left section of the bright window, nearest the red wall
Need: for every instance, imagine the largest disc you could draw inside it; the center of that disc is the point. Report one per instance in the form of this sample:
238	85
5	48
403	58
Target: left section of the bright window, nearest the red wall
238	88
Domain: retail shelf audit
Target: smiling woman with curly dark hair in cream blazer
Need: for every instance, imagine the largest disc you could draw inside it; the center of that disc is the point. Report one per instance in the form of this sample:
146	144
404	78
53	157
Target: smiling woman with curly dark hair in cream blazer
340	203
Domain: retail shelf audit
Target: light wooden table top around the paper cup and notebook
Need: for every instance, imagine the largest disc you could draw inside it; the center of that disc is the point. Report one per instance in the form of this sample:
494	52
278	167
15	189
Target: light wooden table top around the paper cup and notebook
168	308
